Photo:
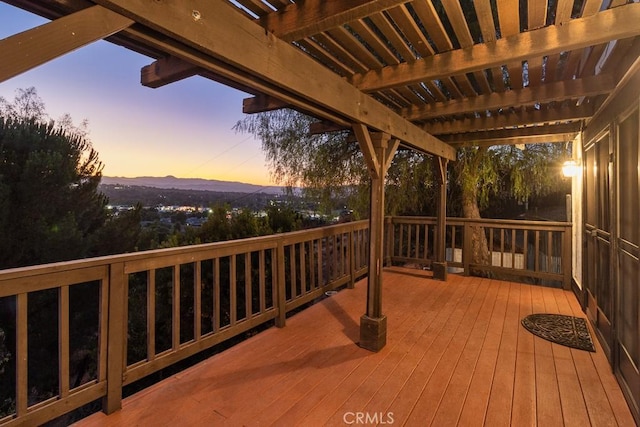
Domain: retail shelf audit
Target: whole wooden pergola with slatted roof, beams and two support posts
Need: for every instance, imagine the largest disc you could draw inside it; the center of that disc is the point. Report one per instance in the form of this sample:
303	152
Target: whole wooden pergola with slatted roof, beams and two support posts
427	75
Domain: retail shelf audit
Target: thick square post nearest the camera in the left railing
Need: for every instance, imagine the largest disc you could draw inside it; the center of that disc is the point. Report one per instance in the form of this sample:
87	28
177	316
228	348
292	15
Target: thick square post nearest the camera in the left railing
116	338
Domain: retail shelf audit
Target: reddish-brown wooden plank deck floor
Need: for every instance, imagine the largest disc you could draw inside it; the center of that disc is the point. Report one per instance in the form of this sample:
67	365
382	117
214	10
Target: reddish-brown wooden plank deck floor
456	354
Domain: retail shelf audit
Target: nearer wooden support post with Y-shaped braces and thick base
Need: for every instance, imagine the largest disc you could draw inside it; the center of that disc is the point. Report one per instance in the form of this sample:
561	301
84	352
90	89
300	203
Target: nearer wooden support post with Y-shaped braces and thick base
378	153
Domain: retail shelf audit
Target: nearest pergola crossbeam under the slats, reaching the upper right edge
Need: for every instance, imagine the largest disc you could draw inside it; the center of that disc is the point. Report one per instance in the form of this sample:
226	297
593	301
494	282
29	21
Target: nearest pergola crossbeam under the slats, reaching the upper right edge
613	24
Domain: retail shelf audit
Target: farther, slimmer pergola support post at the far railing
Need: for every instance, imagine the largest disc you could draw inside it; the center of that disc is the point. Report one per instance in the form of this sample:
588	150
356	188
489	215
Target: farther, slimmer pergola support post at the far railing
439	264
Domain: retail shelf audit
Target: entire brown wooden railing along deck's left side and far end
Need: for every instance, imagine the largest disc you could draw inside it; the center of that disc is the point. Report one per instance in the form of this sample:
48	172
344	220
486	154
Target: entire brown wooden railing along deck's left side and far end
121	318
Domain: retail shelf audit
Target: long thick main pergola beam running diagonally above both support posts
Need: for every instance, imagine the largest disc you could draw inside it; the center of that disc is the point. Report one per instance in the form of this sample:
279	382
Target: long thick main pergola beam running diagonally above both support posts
215	29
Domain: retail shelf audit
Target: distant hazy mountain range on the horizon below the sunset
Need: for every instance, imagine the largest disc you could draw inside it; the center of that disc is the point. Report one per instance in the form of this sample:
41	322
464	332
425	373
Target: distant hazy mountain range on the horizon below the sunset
170	182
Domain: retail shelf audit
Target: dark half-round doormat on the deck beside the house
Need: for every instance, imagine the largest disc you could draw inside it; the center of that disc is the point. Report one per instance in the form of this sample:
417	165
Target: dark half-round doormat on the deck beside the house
566	330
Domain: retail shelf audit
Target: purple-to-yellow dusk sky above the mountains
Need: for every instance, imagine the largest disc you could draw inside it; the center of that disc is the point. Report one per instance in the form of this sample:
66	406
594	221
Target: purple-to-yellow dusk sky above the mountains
183	129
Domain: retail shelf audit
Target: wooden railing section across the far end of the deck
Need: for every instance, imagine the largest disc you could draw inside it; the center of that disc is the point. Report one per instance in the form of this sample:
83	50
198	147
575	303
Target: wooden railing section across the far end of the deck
538	251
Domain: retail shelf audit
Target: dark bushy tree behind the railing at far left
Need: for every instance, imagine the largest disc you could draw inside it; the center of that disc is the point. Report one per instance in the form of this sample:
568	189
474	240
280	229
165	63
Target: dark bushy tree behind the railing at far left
49	177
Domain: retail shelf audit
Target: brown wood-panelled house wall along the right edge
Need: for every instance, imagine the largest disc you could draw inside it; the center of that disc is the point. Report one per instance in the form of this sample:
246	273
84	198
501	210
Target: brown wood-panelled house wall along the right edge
610	227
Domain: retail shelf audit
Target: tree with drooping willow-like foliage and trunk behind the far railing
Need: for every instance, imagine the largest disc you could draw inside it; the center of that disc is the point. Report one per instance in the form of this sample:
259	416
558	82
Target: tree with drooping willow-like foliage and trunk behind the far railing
332	165
